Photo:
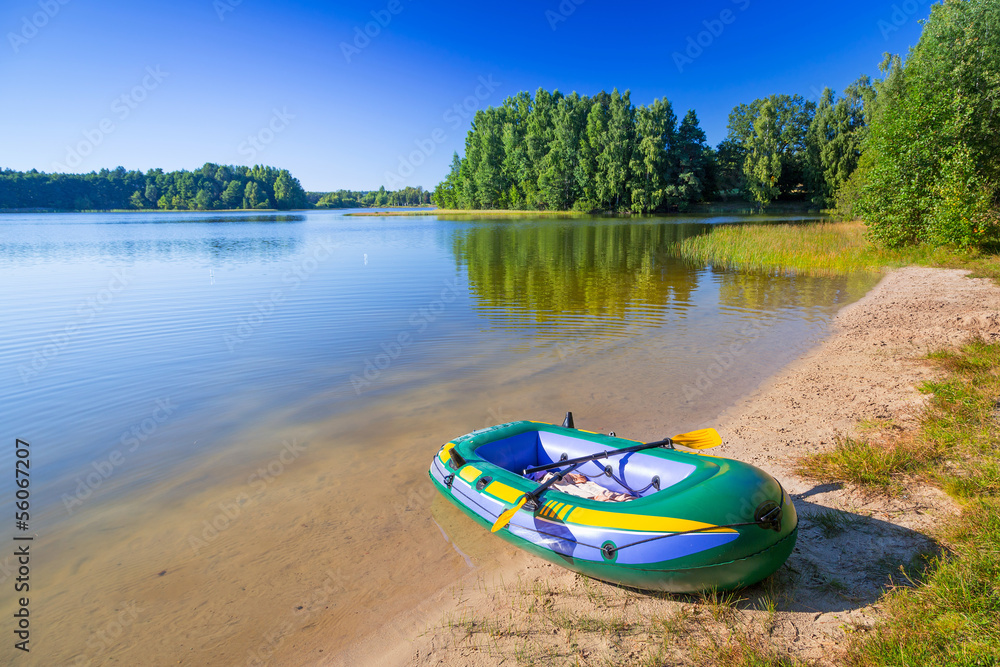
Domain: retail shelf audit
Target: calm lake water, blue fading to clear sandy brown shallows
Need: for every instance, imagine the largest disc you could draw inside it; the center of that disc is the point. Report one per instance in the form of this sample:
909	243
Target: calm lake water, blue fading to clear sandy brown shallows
230	416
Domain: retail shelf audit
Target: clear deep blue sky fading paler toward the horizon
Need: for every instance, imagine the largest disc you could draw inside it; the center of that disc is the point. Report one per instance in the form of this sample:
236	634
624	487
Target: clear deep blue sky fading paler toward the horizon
200	77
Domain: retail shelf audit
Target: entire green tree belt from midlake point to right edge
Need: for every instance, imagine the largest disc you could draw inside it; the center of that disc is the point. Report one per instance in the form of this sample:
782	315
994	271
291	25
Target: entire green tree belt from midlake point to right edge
915	154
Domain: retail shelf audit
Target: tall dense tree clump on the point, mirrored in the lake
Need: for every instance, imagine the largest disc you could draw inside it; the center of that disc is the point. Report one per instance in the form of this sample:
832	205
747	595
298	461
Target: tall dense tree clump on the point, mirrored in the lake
561	152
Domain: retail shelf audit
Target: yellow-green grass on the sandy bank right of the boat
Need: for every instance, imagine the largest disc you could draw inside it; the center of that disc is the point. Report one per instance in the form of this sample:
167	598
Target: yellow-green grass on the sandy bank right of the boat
952	615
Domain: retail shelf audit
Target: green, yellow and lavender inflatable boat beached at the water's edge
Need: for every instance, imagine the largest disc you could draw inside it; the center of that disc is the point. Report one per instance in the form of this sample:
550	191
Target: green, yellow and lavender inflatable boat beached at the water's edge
694	522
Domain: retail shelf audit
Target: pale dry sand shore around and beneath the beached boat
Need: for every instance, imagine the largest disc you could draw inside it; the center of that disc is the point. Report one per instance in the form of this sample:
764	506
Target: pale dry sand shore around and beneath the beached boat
866	371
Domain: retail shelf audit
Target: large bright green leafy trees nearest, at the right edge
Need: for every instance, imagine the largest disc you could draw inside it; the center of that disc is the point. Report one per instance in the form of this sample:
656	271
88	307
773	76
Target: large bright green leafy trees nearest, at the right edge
931	163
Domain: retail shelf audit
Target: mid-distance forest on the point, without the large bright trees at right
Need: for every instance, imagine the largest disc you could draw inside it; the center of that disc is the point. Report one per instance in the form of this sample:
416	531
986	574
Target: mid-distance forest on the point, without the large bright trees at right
601	153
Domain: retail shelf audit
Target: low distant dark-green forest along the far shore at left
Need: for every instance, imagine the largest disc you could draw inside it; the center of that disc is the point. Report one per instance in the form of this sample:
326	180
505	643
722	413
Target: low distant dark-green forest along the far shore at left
212	187
